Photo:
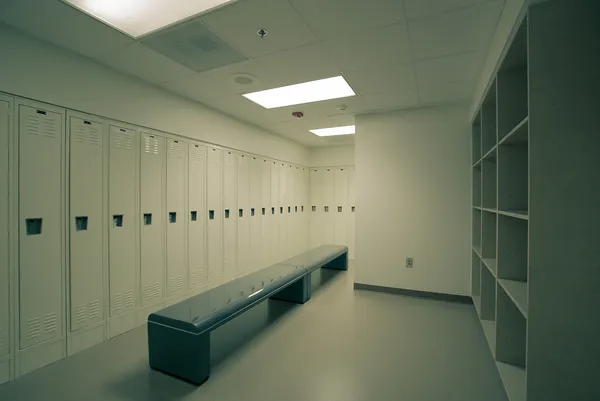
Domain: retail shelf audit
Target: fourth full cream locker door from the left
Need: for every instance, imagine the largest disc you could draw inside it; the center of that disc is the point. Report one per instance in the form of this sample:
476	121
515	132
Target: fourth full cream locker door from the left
152	245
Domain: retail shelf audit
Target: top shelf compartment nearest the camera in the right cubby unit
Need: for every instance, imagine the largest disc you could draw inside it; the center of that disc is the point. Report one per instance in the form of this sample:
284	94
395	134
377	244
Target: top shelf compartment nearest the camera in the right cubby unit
512	85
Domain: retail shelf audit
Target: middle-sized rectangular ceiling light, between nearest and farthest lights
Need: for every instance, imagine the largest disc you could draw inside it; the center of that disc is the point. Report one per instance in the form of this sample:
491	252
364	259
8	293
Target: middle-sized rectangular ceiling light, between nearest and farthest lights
308	92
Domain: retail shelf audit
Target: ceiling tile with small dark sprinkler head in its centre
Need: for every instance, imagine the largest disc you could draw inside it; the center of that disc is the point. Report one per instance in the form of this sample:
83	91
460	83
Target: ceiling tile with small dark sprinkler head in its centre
239	22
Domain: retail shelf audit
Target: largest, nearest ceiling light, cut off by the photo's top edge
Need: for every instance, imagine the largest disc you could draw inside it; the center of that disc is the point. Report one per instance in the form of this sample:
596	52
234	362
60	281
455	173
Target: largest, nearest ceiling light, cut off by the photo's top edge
141	17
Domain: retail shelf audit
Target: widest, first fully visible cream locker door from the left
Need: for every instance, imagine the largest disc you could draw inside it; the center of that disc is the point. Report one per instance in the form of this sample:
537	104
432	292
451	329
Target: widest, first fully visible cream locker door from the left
41	225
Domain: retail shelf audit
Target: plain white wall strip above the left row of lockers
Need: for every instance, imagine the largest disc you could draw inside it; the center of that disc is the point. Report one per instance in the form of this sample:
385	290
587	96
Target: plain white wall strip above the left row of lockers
35	69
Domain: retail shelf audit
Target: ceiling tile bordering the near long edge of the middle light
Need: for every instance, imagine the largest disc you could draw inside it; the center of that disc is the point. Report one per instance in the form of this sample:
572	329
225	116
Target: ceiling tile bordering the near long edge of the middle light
302	64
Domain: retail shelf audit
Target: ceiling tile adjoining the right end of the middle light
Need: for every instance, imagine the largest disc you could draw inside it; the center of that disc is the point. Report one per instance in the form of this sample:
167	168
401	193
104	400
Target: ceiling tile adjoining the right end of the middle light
383	79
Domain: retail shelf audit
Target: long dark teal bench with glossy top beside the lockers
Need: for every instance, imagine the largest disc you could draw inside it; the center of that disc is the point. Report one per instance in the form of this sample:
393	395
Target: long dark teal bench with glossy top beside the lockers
179	336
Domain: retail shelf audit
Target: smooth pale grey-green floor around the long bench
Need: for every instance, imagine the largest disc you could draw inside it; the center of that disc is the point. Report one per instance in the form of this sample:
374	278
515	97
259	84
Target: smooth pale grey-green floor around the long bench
342	345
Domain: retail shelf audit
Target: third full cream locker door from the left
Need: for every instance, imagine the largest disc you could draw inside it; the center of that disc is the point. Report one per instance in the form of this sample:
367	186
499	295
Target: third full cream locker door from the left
122	249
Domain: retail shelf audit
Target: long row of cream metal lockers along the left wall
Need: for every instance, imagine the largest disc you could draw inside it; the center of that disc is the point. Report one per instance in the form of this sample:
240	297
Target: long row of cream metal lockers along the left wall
113	219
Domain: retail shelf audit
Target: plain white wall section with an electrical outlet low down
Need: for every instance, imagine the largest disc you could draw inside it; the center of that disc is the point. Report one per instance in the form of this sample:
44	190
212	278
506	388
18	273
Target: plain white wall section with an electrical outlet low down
413	191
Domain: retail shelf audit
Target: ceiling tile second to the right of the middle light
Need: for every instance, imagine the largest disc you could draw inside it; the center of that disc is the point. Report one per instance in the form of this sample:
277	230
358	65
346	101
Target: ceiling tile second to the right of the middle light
462	67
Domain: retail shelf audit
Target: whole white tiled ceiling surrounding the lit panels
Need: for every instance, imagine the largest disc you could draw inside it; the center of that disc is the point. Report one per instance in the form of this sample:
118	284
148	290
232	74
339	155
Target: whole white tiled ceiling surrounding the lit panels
396	54
